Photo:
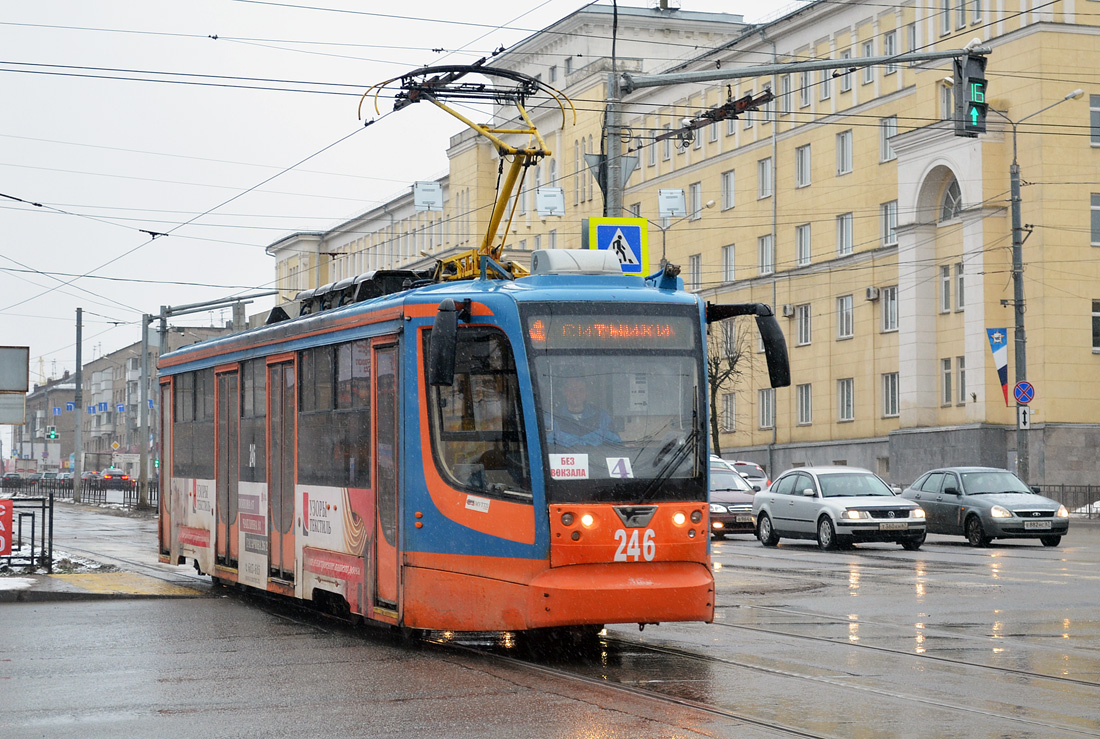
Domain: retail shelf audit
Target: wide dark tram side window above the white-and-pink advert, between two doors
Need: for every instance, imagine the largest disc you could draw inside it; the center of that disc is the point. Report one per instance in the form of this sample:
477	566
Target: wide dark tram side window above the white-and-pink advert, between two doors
335	416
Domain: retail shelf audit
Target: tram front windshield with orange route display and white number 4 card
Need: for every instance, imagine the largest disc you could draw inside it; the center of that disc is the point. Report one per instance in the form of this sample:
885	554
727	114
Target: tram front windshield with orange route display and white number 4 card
619	391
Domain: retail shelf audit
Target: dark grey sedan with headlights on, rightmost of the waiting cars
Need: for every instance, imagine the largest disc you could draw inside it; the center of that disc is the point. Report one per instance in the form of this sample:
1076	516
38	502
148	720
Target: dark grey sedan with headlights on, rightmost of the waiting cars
984	504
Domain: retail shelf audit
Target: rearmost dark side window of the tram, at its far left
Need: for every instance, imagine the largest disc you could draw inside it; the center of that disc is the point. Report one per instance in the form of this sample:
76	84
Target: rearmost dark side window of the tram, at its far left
193	429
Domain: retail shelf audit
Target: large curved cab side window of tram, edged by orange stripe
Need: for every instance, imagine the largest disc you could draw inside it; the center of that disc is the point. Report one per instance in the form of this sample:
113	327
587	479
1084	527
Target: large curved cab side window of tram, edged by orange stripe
477	424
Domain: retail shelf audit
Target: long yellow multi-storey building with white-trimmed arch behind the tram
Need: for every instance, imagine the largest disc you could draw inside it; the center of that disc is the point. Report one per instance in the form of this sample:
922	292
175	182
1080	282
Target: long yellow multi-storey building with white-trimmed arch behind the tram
883	240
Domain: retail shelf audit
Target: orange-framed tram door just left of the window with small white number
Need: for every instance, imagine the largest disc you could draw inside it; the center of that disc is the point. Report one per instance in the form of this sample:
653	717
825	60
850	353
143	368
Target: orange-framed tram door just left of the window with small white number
227	468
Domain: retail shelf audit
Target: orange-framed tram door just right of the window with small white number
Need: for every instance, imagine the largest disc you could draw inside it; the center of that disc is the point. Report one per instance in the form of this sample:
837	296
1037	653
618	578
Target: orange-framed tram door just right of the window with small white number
281	415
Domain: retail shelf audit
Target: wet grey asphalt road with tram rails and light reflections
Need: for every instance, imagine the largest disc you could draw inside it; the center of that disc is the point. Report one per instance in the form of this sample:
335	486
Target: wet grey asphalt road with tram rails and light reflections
875	642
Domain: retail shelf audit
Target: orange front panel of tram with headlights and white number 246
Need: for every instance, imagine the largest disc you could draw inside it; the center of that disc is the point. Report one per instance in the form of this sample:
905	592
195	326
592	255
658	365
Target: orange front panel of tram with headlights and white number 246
608	539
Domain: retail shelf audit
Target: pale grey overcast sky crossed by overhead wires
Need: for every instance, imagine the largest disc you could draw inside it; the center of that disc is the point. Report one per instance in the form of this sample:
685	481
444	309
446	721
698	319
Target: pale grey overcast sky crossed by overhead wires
224	125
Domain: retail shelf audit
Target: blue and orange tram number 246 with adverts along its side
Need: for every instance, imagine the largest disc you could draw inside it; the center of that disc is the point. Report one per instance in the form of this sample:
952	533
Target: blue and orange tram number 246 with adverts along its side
475	456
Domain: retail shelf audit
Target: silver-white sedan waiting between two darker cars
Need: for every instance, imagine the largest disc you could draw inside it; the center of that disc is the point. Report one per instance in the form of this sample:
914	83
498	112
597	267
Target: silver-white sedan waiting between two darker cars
839	508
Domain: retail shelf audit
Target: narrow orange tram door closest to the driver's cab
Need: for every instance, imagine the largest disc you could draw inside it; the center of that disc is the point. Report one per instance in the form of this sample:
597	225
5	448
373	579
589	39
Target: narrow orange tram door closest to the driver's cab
387	458
